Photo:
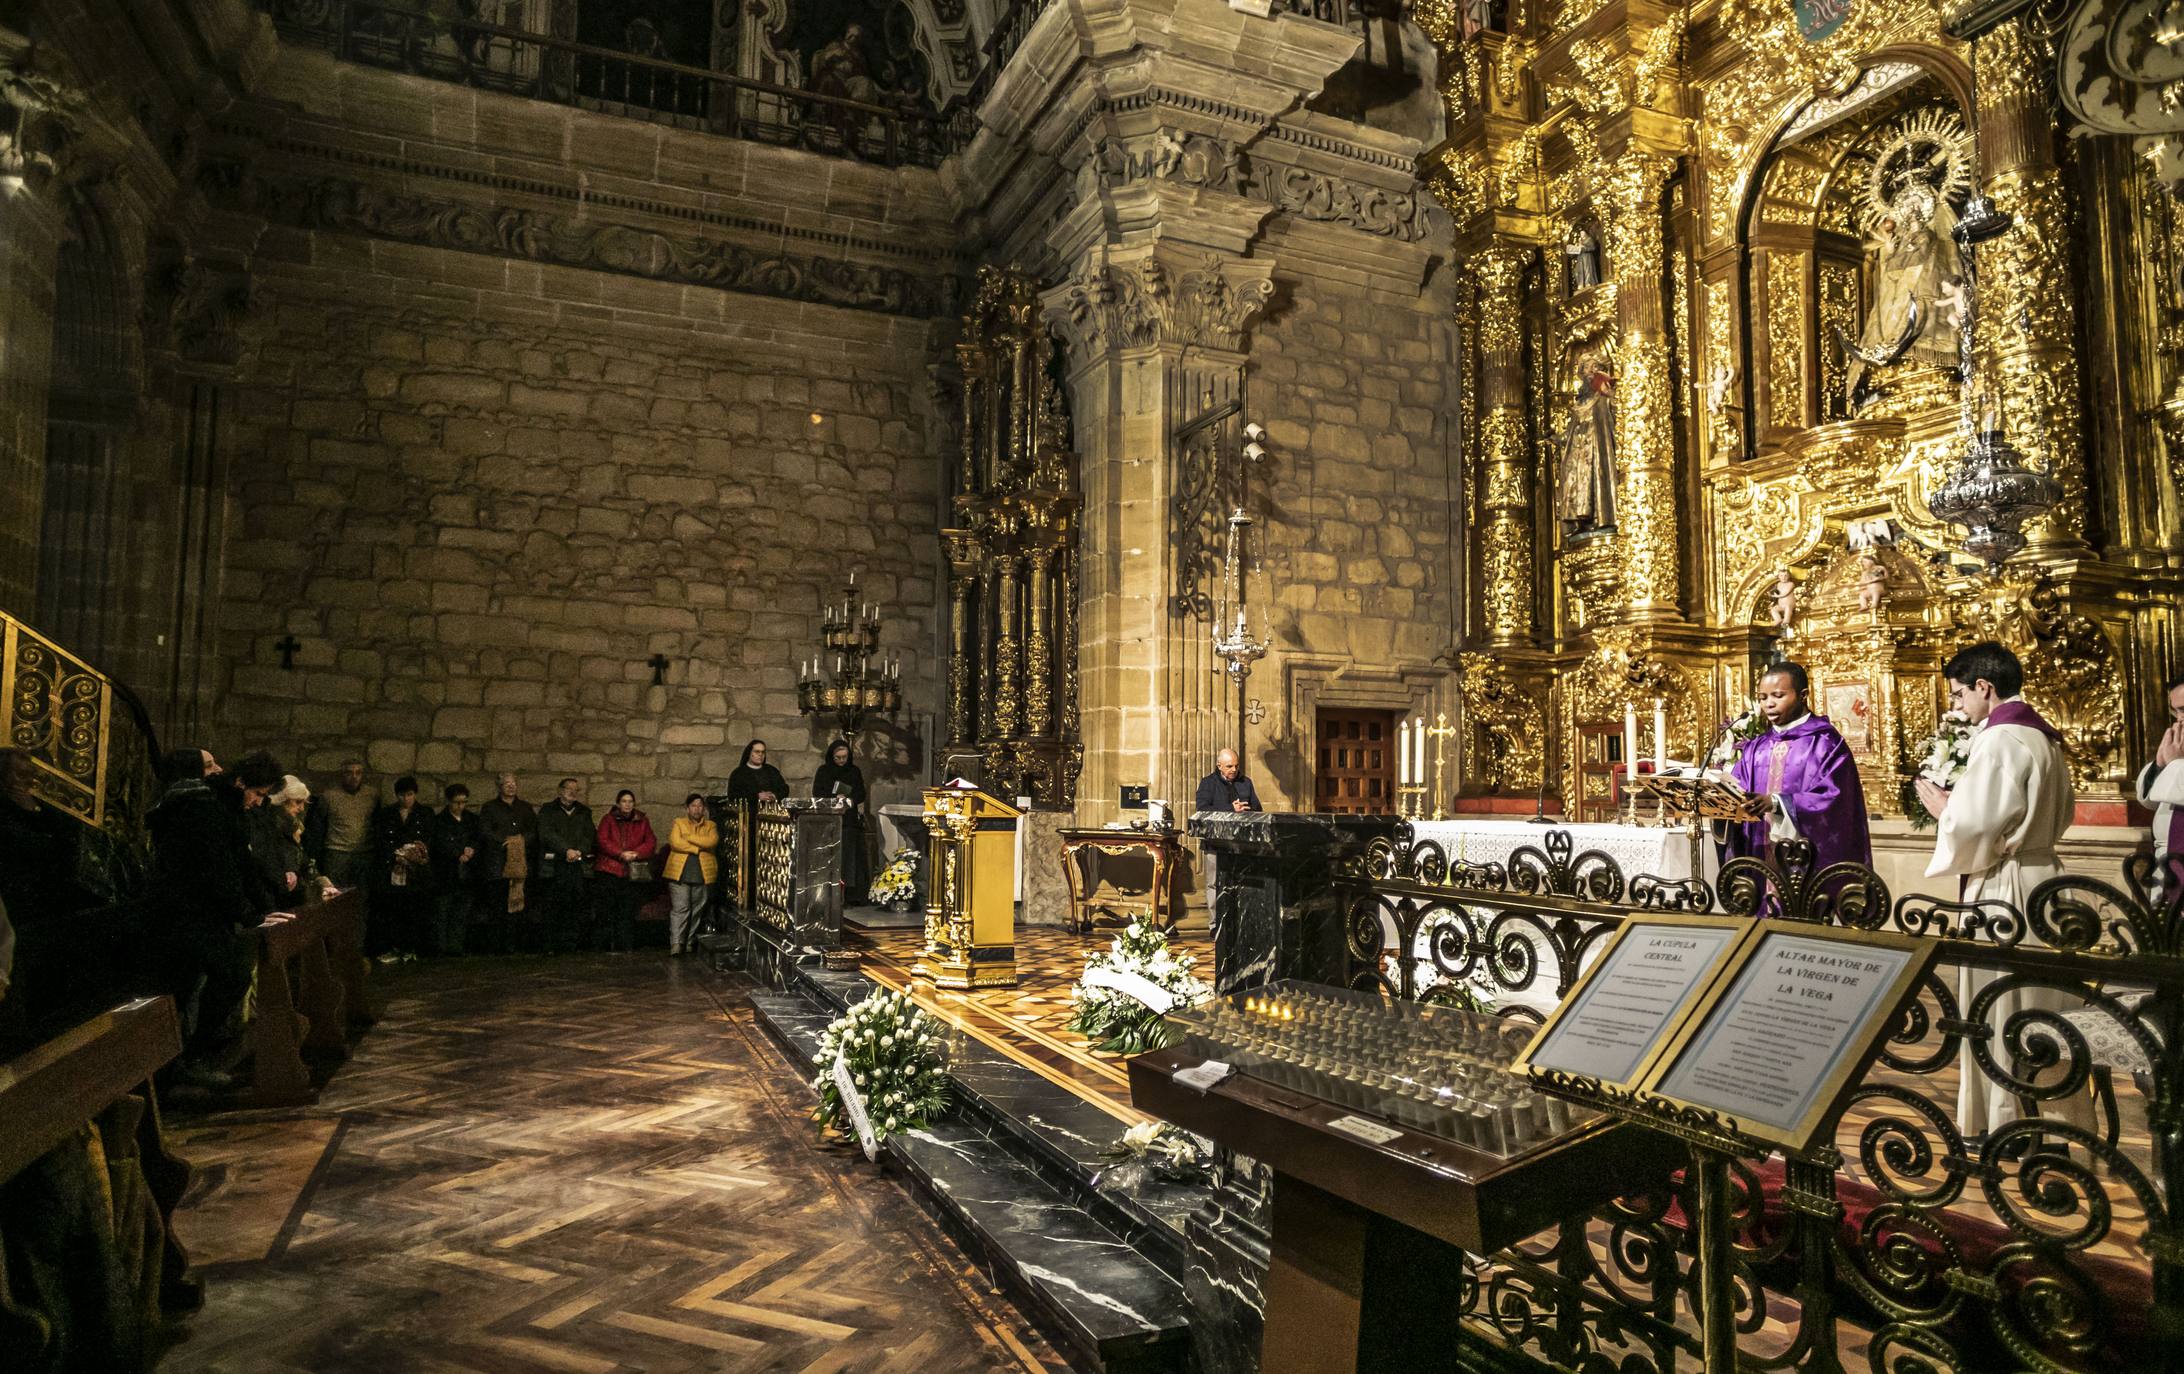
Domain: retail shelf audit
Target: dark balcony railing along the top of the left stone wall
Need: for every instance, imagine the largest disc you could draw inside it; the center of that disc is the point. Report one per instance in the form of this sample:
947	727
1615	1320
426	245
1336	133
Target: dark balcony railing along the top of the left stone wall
562	71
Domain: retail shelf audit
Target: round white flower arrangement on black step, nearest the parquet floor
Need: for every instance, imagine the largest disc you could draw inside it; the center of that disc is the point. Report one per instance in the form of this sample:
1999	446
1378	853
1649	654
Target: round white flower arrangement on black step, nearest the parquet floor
892	1052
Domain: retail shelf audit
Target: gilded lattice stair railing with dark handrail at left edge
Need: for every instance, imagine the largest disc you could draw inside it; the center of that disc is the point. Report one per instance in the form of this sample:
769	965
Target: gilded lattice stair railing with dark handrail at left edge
93	746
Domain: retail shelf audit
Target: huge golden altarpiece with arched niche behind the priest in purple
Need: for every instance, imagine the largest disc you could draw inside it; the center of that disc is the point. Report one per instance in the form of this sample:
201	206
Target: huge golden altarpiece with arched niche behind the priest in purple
1713	313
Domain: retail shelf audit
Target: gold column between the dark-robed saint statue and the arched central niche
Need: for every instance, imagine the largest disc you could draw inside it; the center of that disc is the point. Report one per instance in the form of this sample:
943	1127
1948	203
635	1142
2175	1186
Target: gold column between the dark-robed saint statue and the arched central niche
1646	438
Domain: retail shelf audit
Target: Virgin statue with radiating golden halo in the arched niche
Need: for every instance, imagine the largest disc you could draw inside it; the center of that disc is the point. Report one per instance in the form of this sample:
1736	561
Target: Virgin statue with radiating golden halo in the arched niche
1916	265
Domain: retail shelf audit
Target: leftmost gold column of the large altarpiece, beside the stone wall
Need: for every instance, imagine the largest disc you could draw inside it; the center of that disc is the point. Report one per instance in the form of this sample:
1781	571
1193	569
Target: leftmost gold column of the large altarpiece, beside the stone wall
1506	473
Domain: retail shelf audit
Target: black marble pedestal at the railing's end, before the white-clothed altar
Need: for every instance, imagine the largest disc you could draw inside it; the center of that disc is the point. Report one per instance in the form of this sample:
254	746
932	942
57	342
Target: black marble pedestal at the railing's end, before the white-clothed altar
1272	879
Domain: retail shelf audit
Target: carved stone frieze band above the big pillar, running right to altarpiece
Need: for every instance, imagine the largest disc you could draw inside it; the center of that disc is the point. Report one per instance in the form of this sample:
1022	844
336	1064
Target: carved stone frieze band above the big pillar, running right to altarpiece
1215	165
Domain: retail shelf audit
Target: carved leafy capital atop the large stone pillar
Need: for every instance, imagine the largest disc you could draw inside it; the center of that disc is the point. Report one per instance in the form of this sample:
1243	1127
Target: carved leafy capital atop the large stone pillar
1204	303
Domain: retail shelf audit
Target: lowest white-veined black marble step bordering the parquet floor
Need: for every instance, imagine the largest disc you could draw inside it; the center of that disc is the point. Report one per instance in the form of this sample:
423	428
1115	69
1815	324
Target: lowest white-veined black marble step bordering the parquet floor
1089	1288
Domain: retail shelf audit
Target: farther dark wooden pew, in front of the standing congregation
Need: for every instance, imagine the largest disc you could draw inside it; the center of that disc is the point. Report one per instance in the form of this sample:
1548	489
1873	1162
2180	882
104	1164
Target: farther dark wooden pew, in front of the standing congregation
324	945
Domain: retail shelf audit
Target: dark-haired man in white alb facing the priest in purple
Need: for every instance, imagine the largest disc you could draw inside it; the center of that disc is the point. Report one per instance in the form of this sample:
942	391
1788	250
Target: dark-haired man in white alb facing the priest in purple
1997	836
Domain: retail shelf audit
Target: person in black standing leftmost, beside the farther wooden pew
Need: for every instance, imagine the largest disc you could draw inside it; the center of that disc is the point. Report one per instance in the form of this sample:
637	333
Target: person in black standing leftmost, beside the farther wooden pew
213	899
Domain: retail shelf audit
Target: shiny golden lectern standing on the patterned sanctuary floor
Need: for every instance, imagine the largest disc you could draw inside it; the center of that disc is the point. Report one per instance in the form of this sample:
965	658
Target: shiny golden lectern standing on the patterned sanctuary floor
971	890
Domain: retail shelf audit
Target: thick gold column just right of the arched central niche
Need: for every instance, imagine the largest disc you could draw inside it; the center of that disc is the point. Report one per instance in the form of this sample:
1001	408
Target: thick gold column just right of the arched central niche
2028	320
